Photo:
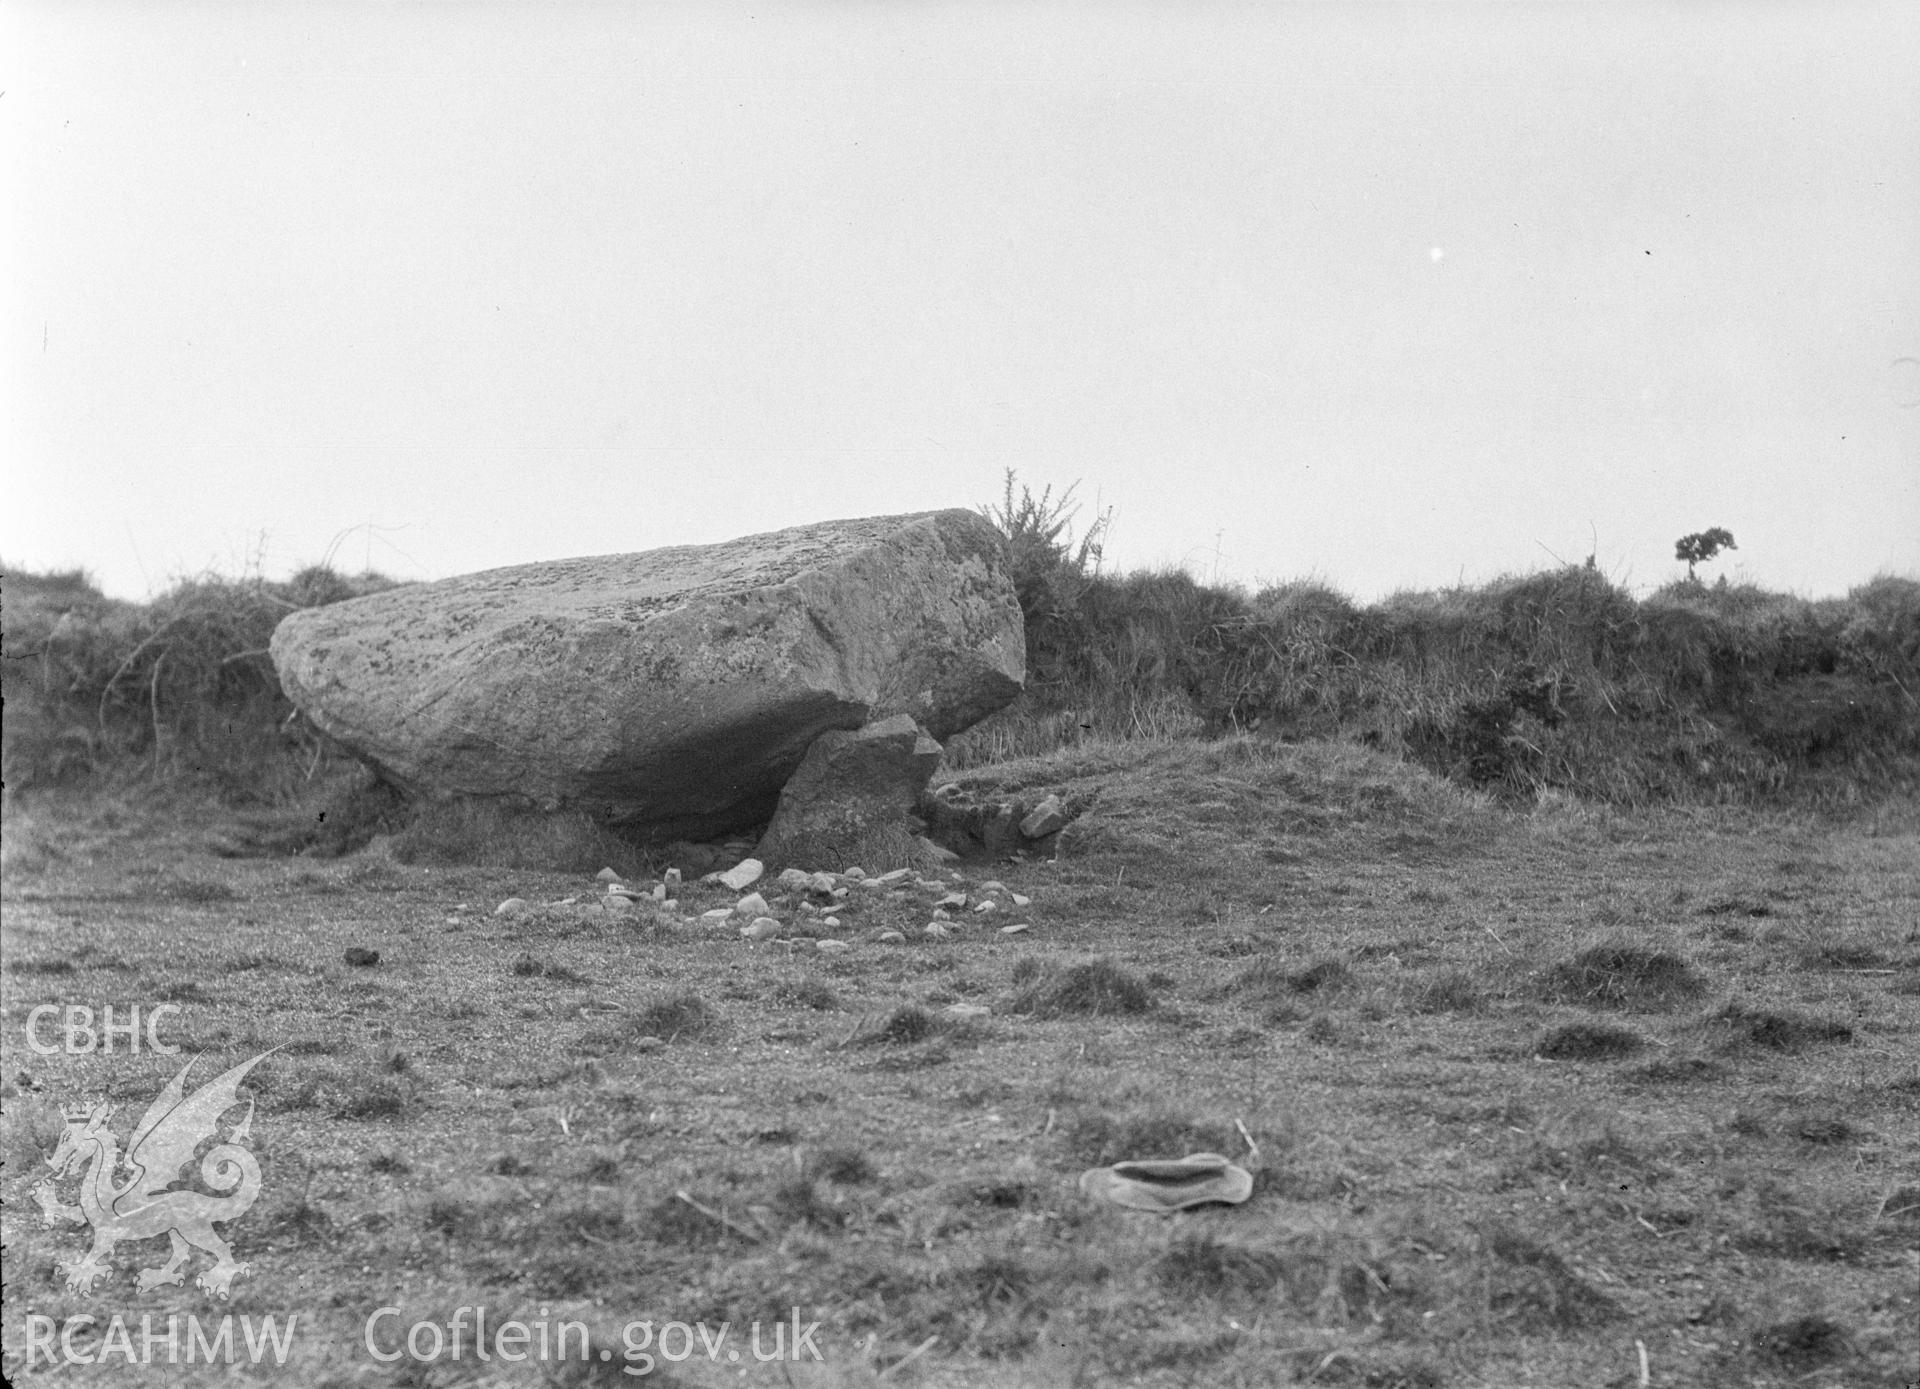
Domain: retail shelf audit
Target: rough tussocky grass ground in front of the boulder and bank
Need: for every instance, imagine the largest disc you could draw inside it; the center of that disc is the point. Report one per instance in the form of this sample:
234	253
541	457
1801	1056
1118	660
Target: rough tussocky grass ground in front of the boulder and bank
1547	1096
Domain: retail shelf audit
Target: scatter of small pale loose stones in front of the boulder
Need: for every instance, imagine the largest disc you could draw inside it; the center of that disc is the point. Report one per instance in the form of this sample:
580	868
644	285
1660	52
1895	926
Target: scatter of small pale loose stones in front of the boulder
811	910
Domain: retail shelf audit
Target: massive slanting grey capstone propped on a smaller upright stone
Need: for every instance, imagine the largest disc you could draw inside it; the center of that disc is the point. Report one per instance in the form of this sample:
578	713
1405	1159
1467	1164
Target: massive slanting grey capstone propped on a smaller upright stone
675	691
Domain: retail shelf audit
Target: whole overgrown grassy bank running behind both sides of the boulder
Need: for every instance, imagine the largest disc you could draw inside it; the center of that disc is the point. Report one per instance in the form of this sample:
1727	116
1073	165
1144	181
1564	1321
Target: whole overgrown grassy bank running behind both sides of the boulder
1550	681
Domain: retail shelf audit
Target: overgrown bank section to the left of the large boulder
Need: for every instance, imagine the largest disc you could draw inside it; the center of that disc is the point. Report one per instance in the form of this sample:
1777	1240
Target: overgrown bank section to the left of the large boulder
176	687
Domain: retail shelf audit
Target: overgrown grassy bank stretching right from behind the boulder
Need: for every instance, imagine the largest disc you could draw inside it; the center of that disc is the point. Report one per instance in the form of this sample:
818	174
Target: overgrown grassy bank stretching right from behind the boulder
1547	681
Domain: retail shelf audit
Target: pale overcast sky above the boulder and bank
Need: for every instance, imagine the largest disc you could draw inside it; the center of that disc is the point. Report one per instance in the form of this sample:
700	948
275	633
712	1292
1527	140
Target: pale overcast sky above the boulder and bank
1383	295
